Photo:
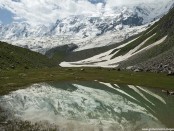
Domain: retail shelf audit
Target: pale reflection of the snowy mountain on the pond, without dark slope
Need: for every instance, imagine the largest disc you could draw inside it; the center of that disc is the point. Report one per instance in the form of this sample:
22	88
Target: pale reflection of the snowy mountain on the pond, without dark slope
82	109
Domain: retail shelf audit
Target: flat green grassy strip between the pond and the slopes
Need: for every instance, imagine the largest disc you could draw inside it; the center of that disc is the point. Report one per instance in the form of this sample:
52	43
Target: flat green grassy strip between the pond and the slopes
16	79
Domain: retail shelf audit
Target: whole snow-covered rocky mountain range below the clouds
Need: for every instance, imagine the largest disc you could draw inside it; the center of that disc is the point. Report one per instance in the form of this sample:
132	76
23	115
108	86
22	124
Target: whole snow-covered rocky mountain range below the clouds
87	31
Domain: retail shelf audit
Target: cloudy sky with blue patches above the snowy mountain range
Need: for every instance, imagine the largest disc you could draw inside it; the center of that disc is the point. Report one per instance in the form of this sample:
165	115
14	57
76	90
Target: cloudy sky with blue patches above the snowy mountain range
37	12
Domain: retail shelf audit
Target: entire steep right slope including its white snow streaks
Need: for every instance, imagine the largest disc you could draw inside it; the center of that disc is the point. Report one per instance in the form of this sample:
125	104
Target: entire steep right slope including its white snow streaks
151	50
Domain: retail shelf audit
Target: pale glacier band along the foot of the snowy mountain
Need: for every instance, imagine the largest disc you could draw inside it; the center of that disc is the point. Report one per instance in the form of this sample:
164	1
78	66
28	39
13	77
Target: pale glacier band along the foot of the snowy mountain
42	44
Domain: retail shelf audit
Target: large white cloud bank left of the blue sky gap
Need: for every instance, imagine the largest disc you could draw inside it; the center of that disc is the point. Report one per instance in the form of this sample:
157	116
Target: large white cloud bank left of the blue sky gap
47	11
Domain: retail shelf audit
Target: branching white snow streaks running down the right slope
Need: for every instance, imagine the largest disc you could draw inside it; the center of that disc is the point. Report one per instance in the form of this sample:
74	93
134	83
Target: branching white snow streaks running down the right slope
105	59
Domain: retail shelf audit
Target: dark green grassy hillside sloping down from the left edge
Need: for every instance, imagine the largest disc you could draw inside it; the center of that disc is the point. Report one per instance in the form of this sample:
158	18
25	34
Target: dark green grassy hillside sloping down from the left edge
13	57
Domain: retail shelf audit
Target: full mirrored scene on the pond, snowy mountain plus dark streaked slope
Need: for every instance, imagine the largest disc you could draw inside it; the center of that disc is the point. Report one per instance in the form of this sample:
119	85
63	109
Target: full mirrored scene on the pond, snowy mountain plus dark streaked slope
90	106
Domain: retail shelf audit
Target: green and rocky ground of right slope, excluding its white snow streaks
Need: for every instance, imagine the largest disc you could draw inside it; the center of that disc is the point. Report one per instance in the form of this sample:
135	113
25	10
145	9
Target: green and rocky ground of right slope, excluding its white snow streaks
160	55
